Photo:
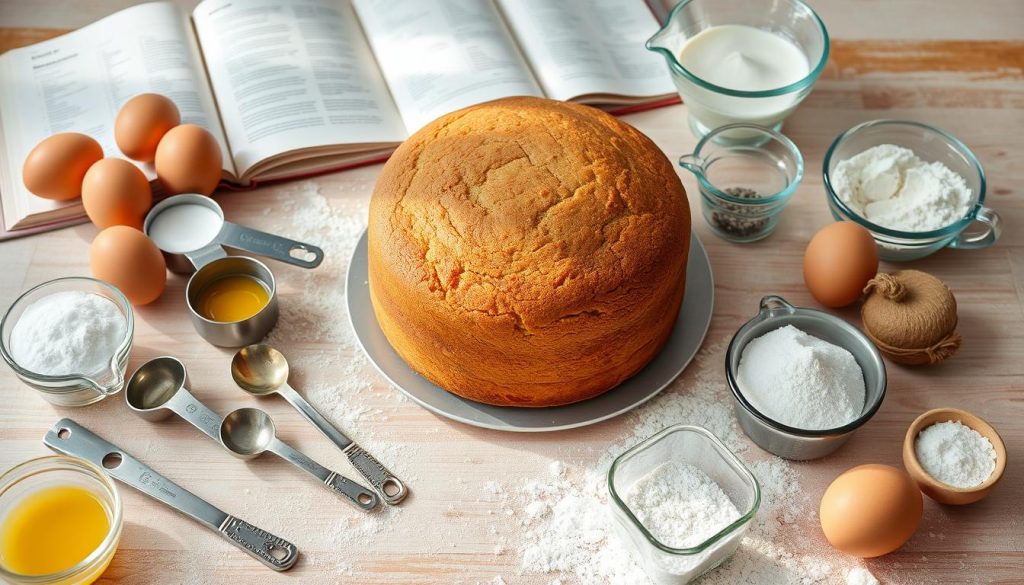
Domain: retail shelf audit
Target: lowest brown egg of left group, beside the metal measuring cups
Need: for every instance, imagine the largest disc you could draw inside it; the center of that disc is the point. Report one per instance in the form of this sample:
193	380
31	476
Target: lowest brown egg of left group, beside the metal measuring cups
129	260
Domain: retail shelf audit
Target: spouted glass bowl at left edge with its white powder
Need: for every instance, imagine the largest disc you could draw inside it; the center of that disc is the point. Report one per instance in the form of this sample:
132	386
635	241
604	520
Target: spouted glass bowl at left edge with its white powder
70	339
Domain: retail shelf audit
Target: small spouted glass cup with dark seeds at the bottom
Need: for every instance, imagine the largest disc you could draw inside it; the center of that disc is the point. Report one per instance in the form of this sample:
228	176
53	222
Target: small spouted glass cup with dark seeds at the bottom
744	188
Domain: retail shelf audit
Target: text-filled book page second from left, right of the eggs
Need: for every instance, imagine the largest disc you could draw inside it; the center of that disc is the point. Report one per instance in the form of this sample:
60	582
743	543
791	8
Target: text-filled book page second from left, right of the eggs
293	74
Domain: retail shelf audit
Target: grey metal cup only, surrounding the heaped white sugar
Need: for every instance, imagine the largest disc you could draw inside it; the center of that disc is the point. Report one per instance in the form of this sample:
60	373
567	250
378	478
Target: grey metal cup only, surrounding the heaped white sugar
783	440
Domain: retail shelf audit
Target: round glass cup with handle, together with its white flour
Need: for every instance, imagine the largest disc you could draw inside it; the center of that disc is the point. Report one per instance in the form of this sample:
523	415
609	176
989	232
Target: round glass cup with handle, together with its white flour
917	189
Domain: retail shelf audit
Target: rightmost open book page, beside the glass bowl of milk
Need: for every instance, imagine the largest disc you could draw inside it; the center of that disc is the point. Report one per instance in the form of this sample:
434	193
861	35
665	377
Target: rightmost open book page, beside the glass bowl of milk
580	48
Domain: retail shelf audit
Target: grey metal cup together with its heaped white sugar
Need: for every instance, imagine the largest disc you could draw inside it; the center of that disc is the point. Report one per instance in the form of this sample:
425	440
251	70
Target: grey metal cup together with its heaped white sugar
804	381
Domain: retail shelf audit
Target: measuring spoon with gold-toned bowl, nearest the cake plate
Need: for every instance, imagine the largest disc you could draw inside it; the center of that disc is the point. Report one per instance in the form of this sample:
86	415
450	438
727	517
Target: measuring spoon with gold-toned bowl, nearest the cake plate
262	370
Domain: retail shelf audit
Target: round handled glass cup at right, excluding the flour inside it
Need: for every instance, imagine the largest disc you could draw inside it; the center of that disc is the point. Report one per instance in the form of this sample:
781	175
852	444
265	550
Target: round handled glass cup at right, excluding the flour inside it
931	145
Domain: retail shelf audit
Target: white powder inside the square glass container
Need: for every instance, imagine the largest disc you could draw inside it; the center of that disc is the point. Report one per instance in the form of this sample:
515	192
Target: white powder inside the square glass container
680	506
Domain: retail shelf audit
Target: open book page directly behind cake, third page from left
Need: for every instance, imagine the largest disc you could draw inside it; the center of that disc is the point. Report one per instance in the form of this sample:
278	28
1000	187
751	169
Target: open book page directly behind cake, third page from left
441	56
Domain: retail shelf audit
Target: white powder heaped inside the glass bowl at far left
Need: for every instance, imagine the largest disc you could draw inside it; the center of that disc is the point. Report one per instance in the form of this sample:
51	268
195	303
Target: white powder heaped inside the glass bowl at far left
70	332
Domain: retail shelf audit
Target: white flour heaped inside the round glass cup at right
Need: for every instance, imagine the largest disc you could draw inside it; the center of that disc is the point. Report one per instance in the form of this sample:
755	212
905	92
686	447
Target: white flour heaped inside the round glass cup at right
891	187
